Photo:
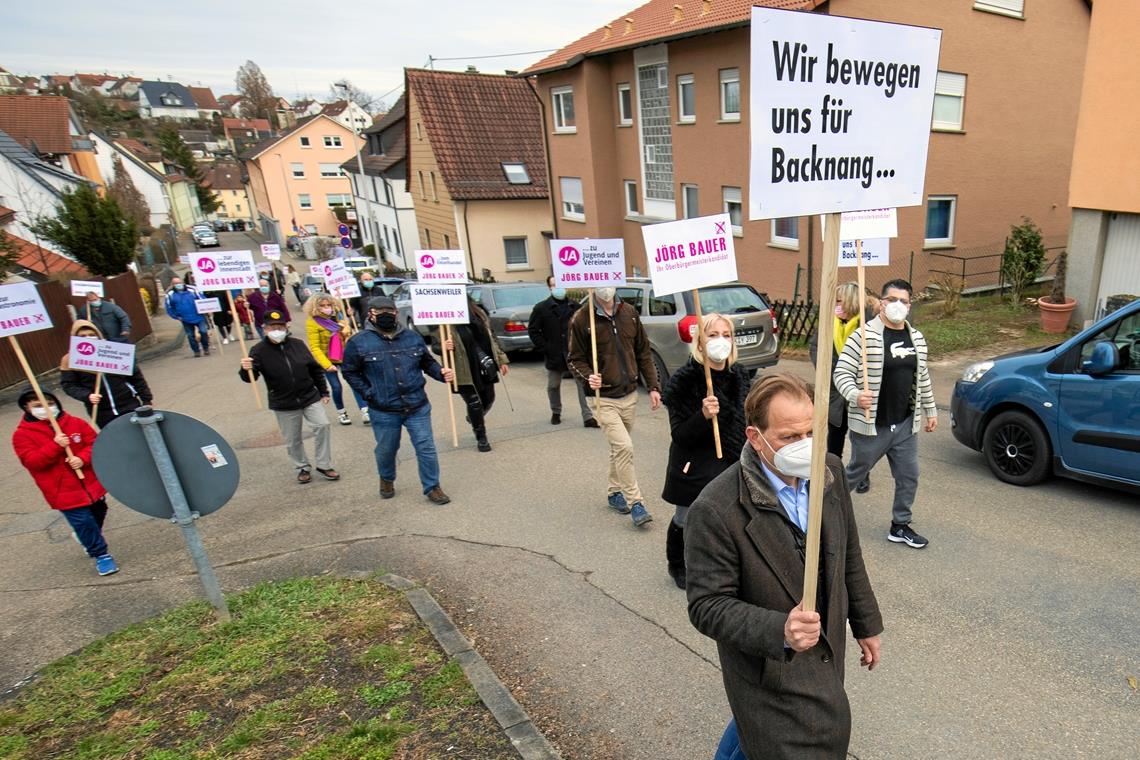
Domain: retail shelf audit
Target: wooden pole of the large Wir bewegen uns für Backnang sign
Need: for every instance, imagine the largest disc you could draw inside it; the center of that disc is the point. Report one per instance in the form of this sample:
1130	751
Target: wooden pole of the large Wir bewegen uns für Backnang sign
829	273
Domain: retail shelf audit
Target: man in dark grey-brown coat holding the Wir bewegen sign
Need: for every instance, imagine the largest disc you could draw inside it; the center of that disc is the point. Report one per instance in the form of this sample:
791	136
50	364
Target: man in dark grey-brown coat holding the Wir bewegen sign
783	666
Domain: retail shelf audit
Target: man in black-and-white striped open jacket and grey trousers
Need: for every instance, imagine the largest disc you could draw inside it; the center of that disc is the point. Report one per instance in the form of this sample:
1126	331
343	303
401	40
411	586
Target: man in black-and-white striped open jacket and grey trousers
901	401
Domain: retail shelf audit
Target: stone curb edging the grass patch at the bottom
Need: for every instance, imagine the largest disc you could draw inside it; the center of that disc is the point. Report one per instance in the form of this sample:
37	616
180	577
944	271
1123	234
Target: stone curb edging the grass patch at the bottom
526	739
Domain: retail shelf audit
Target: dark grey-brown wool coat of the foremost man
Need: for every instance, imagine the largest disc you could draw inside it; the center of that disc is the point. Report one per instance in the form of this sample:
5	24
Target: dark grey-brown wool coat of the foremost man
745	575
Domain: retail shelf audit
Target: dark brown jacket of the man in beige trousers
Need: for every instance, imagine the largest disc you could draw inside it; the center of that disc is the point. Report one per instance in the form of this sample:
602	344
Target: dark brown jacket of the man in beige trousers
623	350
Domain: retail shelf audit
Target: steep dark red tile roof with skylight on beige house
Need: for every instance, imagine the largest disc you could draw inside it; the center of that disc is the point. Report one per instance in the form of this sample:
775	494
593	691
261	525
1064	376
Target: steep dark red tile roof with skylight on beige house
476	122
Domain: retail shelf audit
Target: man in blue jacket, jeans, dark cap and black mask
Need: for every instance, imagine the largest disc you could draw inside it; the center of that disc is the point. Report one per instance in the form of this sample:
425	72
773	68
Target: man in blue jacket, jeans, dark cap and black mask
386	364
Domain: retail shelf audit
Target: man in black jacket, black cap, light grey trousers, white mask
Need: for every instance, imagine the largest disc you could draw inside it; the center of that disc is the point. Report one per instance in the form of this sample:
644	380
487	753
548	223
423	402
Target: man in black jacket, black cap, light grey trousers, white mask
298	394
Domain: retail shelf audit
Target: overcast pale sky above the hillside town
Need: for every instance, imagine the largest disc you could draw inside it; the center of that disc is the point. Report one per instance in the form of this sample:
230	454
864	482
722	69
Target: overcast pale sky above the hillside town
302	47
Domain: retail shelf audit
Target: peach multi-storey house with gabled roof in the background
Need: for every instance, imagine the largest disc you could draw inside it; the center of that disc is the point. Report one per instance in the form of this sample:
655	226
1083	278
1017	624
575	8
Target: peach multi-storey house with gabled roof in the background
297	181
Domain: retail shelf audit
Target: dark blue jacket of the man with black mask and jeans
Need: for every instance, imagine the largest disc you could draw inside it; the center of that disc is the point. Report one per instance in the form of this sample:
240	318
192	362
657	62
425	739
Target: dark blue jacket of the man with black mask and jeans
388	372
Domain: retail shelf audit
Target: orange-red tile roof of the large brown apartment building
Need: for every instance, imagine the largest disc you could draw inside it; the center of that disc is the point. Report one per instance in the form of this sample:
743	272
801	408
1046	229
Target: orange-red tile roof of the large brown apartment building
658	21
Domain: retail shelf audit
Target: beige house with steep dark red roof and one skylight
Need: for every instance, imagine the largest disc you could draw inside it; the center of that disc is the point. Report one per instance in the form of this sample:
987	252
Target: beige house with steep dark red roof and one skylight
477	171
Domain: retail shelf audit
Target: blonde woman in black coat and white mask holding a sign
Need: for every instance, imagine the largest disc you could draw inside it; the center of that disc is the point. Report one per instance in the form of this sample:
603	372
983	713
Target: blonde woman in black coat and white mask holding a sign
693	453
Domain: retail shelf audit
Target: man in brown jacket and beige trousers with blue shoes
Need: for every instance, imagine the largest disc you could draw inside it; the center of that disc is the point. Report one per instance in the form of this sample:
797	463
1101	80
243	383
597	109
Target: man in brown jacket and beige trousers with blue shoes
623	353
